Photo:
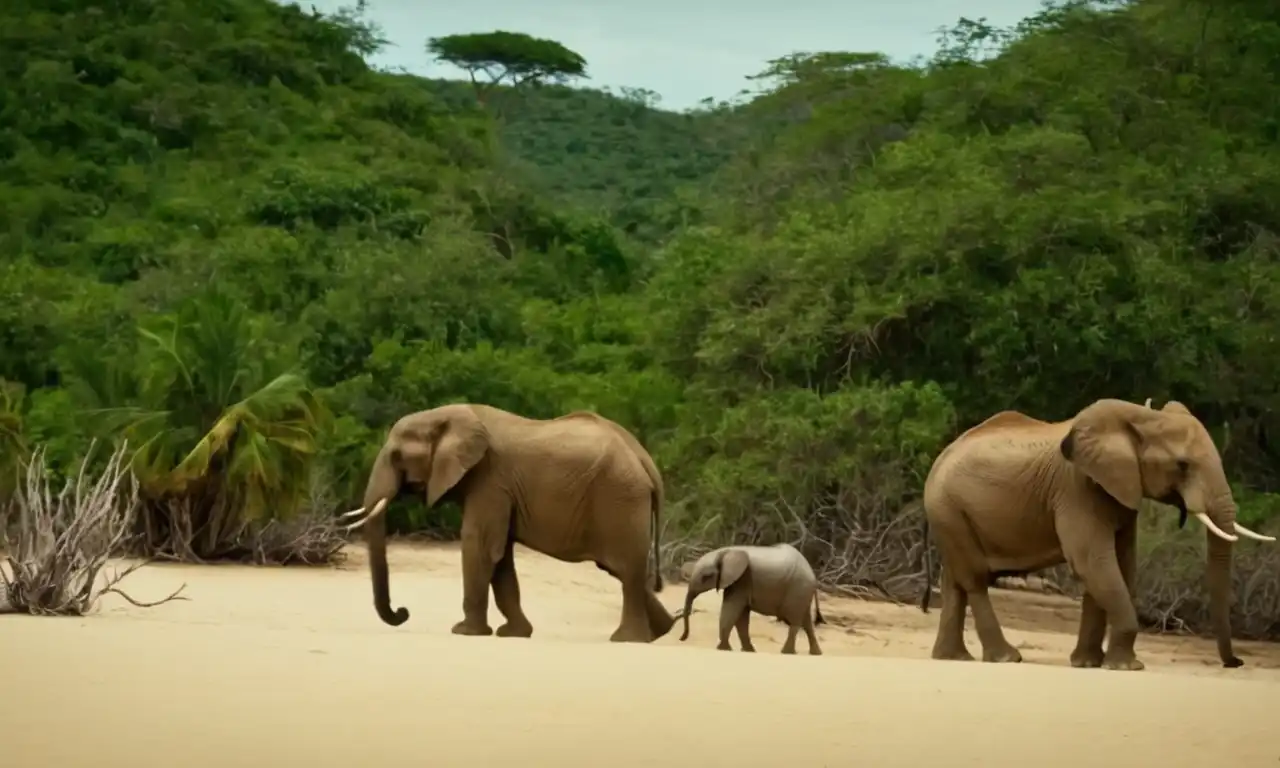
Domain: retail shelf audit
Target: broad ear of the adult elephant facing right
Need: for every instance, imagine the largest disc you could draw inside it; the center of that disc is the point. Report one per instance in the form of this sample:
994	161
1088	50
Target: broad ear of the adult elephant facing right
1104	445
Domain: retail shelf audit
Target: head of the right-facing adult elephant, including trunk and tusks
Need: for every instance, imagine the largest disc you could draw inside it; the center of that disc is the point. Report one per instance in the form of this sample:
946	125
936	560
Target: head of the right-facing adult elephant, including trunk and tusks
1136	452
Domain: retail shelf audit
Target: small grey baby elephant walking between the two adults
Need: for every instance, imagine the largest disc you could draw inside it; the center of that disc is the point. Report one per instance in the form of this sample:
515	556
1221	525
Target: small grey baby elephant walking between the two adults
769	580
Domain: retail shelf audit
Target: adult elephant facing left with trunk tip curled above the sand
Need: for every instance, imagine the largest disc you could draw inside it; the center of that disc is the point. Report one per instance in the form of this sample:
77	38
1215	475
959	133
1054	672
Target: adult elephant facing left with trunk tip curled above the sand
577	488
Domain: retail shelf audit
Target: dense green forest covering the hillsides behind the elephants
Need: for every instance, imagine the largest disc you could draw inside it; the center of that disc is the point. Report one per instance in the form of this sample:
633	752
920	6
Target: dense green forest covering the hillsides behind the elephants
230	241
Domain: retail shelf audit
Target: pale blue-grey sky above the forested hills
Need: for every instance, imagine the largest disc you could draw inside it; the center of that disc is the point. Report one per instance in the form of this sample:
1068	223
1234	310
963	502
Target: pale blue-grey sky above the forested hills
684	51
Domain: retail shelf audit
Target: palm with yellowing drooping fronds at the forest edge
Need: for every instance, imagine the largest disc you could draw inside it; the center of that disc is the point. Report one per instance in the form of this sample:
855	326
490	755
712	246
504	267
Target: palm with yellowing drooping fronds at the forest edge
212	414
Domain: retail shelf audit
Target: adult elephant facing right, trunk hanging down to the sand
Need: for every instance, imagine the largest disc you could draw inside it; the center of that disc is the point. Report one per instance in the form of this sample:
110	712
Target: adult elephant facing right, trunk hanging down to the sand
1017	495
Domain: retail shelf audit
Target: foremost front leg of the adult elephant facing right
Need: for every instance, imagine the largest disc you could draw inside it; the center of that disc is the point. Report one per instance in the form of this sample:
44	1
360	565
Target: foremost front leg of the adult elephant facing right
1099	566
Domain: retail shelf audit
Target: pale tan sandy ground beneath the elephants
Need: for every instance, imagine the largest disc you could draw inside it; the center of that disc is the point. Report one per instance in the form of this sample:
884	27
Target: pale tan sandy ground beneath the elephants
291	668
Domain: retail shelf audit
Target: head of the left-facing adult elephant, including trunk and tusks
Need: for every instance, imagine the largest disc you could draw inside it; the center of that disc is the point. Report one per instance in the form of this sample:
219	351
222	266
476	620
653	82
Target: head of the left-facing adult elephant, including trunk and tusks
432	451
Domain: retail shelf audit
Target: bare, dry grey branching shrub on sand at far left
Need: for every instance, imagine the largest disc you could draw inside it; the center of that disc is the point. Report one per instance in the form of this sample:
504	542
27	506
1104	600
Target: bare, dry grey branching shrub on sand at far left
58	545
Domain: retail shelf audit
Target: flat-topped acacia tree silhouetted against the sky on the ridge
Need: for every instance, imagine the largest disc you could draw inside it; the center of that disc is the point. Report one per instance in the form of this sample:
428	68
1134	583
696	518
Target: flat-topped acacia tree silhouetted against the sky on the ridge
511	58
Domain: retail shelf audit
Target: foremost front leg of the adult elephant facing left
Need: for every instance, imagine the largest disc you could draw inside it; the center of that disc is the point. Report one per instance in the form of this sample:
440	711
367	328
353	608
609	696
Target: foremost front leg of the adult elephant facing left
486	525
